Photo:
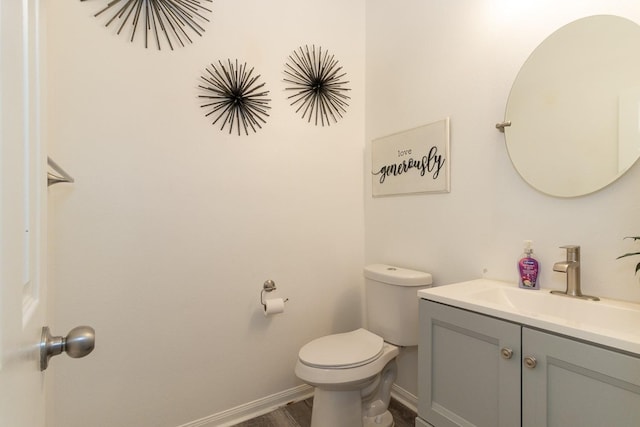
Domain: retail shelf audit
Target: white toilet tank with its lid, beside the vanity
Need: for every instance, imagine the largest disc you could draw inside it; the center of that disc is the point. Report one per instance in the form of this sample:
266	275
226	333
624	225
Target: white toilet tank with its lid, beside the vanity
392	302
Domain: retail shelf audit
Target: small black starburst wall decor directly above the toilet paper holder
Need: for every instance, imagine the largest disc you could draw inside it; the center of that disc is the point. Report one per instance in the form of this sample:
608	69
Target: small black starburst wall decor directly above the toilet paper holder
234	97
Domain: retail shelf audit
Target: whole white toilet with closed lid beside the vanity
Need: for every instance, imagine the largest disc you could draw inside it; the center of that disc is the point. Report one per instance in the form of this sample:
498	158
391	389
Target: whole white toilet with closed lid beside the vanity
353	372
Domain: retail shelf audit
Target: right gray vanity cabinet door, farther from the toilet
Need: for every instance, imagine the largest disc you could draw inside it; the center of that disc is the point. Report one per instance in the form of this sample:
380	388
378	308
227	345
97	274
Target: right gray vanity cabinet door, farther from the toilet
577	384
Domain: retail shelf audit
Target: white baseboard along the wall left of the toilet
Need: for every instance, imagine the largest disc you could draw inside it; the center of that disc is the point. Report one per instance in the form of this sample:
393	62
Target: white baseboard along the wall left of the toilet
253	409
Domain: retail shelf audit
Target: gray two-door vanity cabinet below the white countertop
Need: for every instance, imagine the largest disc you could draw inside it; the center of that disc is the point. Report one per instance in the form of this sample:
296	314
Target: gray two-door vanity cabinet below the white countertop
476	370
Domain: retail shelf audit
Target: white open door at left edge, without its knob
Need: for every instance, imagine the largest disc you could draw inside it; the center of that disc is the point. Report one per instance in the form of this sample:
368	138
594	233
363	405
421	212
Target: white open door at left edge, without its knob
22	203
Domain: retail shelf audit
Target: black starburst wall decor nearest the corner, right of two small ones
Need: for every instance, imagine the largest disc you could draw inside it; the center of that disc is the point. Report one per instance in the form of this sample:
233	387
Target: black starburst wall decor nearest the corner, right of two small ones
317	81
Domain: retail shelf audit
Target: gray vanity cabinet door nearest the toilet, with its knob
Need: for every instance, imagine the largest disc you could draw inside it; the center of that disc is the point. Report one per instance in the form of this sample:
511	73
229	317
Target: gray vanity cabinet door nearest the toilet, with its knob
464	378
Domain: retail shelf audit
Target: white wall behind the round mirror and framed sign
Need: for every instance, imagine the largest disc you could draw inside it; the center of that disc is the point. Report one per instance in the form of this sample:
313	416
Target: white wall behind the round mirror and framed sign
458	58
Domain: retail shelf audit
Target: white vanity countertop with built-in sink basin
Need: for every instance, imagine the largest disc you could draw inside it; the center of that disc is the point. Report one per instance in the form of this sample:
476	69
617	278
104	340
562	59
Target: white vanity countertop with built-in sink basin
606	322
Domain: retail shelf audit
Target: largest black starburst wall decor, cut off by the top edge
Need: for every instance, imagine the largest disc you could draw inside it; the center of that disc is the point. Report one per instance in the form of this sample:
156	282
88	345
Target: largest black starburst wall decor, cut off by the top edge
167	22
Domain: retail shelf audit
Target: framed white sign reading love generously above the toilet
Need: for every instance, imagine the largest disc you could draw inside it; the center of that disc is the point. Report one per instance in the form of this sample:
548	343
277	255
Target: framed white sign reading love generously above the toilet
413	161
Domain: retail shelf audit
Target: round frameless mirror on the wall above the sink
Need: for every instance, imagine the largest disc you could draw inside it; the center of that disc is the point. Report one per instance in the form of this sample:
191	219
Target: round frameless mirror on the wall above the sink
575	107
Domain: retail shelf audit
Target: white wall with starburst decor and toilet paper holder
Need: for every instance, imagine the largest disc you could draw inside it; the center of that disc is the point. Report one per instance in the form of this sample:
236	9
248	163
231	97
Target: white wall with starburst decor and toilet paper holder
164	241
